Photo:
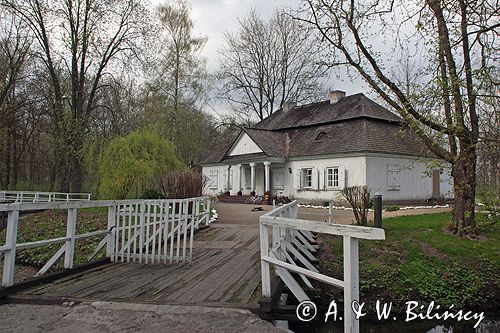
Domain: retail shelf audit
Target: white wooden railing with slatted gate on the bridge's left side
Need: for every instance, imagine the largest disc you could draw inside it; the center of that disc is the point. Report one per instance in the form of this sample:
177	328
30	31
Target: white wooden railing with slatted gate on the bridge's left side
144	231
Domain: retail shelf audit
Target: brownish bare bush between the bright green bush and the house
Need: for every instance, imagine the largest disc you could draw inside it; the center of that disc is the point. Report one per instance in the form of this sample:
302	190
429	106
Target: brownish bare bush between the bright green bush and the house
183	184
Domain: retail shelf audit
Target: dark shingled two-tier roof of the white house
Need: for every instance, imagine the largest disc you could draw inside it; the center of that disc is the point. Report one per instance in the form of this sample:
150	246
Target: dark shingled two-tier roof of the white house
354	124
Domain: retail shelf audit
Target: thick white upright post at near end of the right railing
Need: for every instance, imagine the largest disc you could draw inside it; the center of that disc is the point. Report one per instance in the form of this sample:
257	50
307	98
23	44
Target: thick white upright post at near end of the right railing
351	283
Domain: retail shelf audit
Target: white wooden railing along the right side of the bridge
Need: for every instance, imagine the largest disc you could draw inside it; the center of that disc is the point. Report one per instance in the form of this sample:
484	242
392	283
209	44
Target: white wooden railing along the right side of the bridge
287	243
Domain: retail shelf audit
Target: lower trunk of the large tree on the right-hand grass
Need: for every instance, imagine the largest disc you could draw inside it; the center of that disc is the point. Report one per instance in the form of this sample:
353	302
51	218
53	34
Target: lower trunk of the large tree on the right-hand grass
464	177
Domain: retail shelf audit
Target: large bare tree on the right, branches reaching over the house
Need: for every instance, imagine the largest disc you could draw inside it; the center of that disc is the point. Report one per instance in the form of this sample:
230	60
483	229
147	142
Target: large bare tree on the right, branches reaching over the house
457	42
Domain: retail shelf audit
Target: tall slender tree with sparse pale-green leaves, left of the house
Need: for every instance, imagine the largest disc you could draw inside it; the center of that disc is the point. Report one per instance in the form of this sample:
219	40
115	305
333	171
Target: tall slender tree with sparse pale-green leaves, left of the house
176	88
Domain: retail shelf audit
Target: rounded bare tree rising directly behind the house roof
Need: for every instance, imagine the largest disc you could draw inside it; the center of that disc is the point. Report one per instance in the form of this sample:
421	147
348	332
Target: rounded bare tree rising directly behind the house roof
268	63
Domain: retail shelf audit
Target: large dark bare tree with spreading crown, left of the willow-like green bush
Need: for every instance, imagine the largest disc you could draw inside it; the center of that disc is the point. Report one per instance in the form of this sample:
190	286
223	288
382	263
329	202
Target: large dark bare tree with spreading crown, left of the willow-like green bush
78	43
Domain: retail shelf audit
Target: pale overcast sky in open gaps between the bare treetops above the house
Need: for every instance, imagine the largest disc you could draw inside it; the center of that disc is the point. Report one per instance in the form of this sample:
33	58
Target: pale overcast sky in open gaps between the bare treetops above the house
214	17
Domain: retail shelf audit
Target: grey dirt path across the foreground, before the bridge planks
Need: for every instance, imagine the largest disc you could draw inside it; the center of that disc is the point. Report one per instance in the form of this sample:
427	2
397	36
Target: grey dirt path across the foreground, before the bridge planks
128	317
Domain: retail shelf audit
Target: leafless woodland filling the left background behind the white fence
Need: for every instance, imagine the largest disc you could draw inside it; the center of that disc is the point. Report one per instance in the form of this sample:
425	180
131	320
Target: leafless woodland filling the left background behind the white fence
78	76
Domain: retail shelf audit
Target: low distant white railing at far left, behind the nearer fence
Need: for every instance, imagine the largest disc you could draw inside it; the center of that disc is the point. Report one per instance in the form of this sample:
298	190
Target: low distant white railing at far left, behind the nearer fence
32	196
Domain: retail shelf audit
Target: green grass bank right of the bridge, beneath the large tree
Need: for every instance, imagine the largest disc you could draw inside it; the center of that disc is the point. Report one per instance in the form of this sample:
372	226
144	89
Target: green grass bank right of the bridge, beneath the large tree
419	261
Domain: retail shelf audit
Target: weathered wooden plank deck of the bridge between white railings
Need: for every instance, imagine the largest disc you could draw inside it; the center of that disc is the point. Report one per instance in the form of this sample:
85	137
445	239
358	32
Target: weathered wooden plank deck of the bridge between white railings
225	269
